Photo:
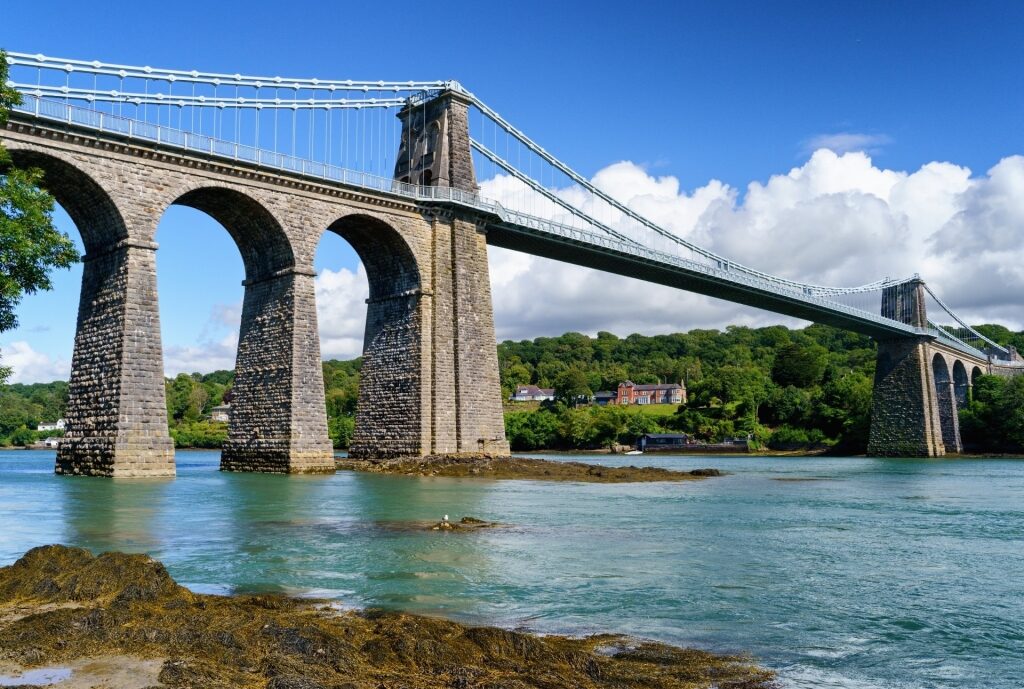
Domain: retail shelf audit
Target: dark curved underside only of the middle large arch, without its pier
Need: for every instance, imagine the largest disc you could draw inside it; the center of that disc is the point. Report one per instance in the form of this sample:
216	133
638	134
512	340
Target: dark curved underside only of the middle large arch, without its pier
263	242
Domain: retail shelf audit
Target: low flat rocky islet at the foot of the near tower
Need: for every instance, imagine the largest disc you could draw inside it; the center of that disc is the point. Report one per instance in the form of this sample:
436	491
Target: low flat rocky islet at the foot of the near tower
488	466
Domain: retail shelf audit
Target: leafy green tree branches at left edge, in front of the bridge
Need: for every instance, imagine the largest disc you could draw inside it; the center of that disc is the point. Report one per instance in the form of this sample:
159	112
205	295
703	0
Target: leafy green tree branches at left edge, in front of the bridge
30	245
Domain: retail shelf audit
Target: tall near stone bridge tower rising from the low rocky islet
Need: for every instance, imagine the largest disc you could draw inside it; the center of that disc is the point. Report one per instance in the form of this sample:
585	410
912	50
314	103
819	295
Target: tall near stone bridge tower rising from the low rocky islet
448	321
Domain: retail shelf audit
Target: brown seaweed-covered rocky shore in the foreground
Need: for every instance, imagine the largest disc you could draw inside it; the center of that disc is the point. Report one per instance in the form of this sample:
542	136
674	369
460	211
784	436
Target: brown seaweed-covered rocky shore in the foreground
120	621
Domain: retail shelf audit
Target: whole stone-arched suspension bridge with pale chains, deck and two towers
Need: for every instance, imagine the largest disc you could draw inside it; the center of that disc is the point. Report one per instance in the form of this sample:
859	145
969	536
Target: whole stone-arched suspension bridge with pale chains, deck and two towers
419	178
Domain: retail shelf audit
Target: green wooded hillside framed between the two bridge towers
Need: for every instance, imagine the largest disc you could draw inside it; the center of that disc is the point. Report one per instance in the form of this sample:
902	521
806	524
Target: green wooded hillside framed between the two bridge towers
815	385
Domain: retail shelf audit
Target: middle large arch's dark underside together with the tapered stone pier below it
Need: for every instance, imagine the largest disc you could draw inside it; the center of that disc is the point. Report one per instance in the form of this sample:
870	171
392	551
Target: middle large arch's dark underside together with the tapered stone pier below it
277	421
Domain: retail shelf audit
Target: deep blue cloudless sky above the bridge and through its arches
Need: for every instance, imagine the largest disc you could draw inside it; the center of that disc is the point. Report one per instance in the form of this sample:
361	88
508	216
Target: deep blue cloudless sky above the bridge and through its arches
734	92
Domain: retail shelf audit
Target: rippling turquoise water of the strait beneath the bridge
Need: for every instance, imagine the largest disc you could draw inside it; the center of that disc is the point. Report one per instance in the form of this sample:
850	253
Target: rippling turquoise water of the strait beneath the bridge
839	573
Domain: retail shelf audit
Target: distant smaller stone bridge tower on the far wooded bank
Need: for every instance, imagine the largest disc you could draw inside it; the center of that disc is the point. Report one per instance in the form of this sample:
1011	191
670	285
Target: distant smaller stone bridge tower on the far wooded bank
908	410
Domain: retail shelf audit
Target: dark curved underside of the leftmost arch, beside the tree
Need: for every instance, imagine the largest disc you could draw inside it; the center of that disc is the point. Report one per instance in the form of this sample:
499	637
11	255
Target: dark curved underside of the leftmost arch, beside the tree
92	209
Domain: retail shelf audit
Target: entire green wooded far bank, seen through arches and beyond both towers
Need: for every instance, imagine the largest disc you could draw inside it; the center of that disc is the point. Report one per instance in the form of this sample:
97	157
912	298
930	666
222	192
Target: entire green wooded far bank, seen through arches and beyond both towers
783	389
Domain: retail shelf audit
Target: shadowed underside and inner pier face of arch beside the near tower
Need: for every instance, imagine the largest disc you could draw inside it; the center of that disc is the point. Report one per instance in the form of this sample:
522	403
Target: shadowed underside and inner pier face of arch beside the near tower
390	418
